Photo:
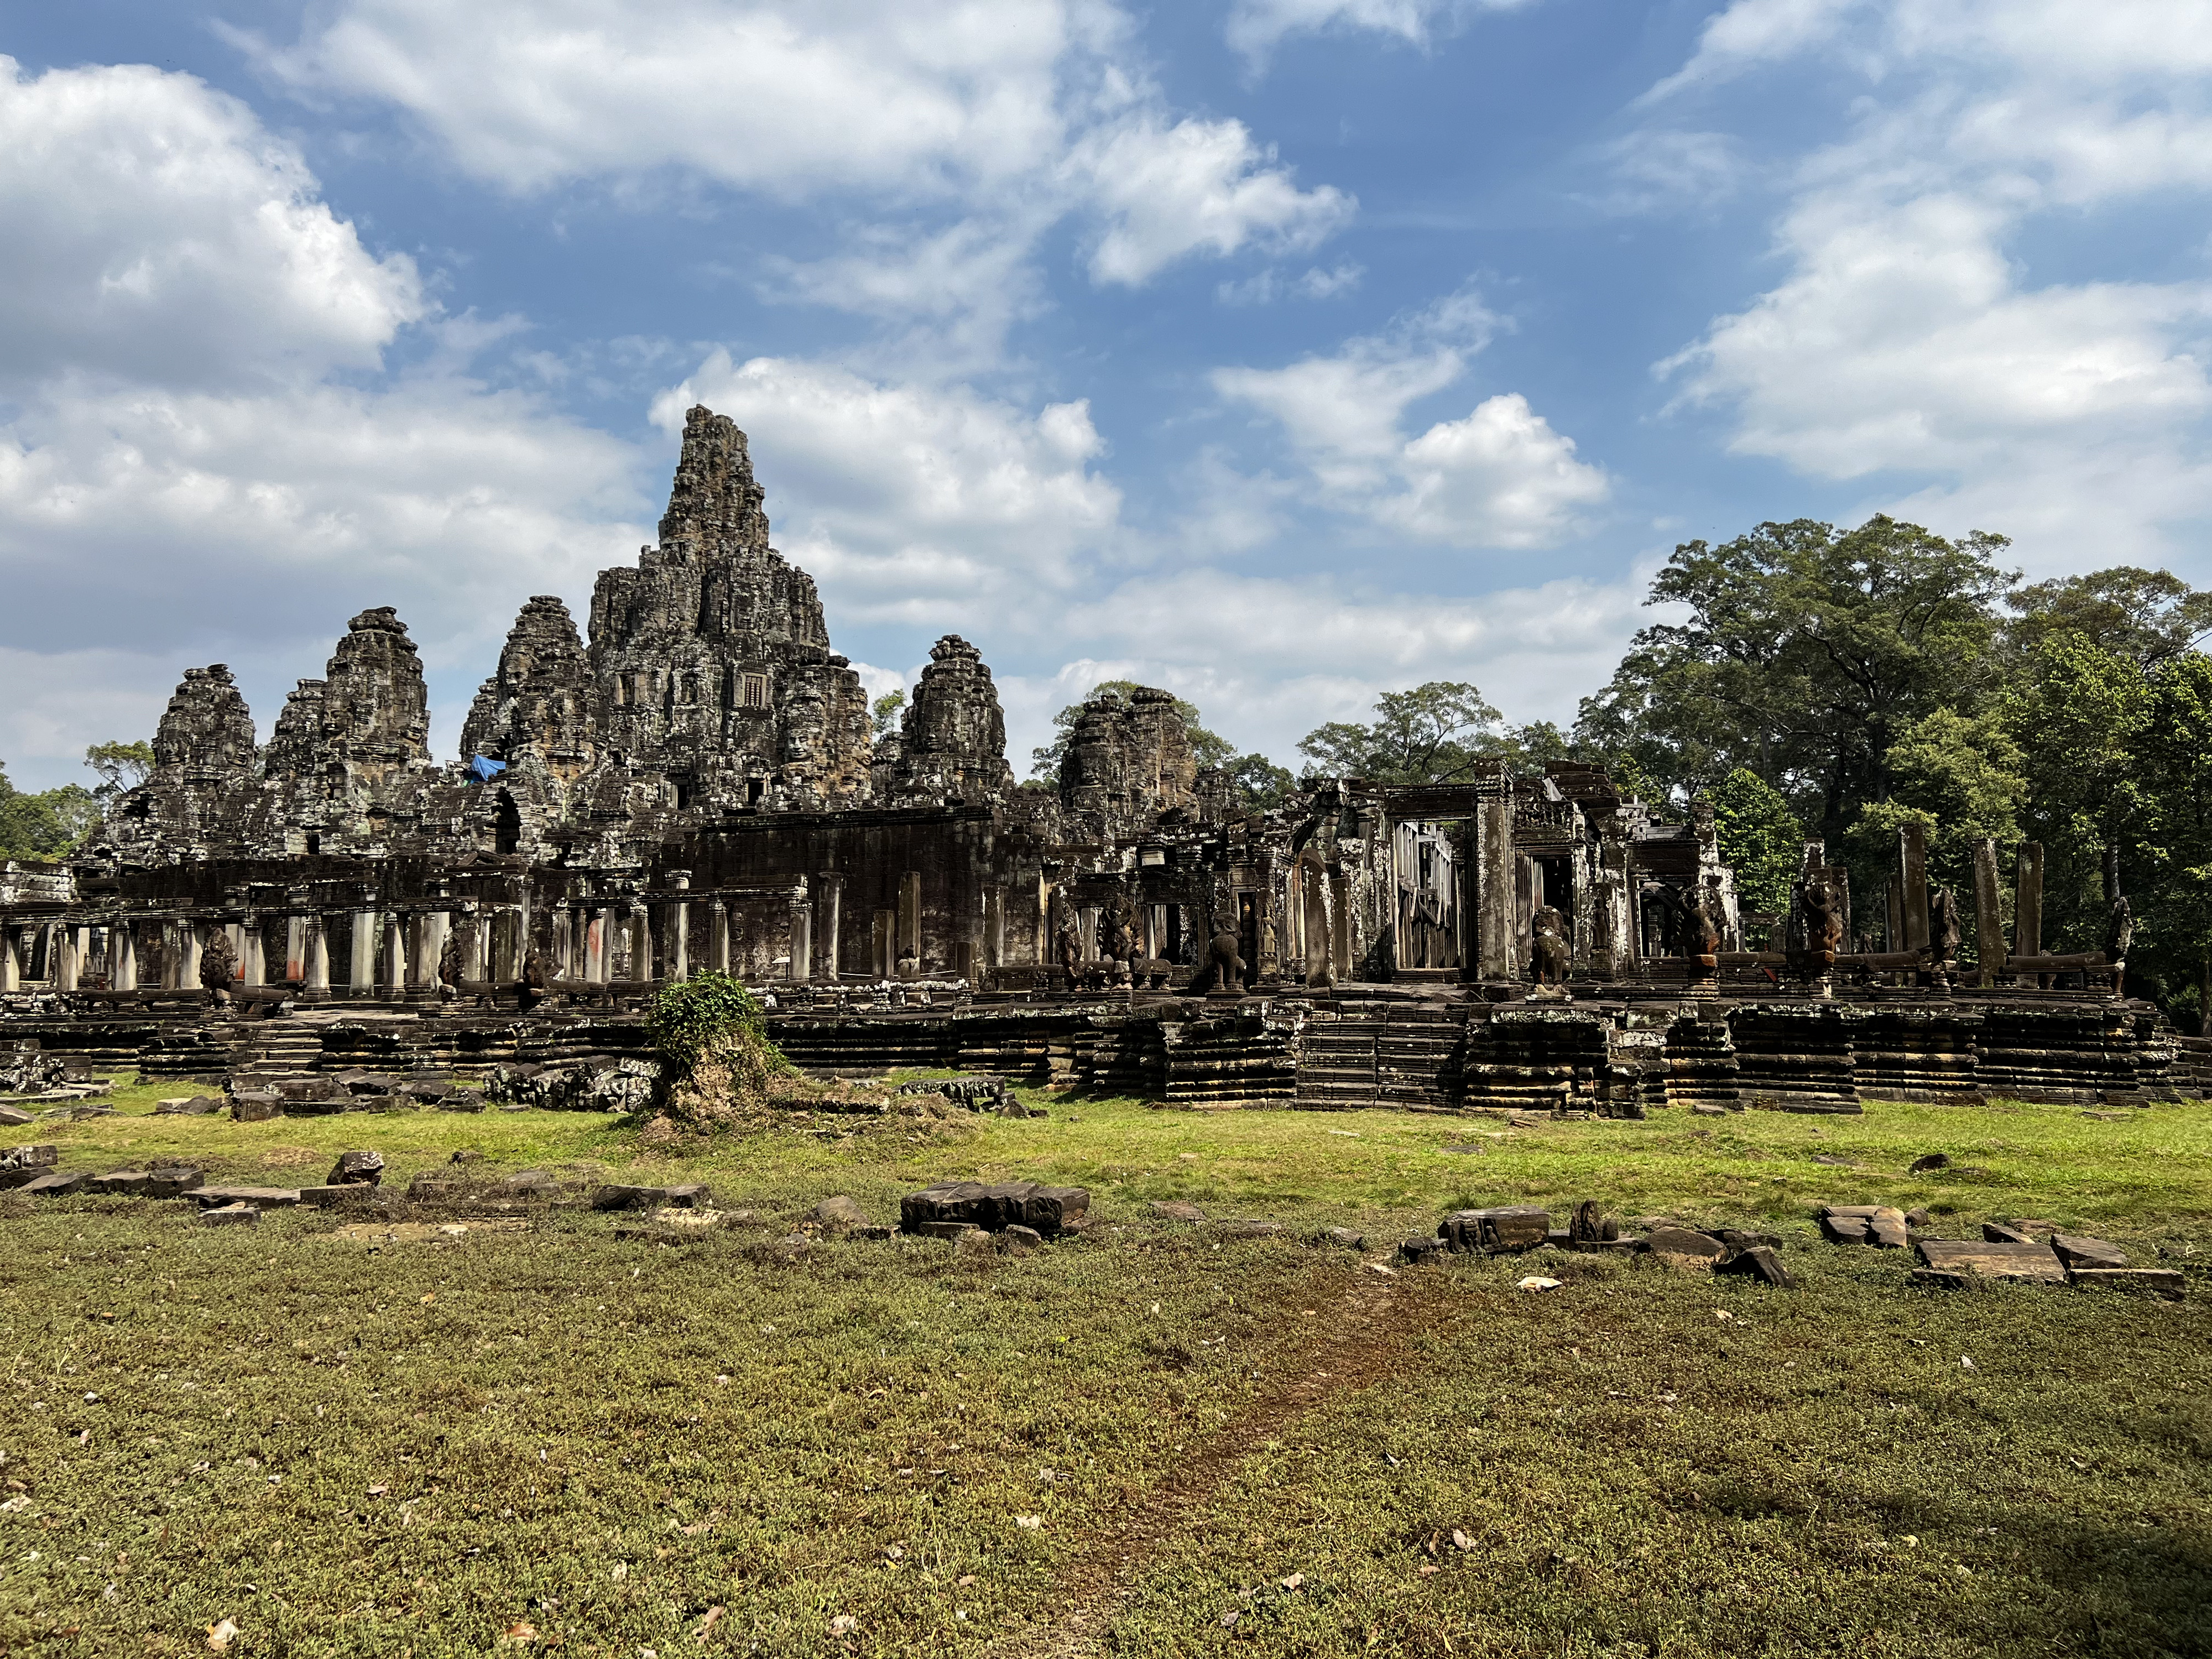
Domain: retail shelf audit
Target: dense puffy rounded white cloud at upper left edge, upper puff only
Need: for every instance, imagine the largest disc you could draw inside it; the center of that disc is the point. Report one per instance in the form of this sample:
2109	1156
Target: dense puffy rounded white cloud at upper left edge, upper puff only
156	231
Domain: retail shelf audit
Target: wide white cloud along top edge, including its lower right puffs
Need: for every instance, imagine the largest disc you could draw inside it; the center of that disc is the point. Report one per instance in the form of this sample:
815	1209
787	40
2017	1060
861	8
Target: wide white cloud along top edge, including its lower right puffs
990	123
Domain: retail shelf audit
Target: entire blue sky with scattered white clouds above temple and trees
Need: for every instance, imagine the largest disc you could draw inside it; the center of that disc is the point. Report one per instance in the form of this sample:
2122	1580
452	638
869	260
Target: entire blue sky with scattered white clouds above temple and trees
1280	351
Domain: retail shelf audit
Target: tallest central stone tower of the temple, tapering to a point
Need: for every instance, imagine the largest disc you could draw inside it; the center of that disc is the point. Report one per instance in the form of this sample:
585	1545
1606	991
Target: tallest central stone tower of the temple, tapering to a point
713	658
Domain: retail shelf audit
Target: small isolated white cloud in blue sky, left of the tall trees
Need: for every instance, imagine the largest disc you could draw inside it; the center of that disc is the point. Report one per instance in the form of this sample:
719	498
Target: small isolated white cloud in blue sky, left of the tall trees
1499	477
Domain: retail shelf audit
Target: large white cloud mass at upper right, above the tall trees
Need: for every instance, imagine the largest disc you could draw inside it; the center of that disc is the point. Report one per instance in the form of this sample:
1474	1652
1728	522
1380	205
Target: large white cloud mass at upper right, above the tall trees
1908	337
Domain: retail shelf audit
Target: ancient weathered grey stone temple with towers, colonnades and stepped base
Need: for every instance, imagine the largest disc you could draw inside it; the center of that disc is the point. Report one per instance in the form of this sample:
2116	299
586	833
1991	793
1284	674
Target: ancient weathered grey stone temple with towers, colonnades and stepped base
693	784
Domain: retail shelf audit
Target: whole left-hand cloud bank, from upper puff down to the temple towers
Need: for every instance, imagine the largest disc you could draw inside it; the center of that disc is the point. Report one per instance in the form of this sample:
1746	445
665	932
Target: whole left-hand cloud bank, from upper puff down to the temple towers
202	457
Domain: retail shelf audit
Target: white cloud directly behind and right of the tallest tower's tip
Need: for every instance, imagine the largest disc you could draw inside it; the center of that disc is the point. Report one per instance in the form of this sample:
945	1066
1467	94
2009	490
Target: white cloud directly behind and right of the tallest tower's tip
908	501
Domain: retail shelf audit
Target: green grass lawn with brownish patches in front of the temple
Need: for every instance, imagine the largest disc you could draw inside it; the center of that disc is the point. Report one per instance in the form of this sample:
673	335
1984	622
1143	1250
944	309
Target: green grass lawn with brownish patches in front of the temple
552	1439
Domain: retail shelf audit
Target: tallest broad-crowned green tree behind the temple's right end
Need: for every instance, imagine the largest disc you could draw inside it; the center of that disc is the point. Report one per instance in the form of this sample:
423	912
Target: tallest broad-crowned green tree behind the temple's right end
1802	656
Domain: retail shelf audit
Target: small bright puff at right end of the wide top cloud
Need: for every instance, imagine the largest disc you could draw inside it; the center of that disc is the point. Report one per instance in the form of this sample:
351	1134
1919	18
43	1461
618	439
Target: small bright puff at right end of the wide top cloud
1193	187
